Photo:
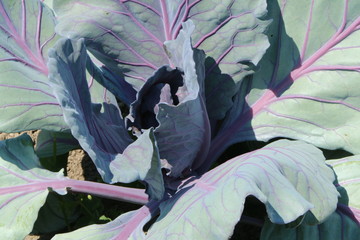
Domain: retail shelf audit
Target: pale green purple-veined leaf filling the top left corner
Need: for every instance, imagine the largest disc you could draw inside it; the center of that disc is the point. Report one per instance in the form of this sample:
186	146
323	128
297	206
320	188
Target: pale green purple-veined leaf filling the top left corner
26	33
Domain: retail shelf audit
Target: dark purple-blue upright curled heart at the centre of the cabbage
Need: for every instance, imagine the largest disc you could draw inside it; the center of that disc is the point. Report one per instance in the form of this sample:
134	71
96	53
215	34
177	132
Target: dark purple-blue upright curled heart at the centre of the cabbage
173	101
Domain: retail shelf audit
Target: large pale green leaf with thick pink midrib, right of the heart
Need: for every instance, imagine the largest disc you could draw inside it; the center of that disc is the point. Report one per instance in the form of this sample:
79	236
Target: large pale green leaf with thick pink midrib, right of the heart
309	75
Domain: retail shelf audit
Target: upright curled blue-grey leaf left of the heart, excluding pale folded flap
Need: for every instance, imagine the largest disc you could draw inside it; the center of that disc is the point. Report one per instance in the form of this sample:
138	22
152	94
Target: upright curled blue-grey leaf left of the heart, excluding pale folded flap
101	134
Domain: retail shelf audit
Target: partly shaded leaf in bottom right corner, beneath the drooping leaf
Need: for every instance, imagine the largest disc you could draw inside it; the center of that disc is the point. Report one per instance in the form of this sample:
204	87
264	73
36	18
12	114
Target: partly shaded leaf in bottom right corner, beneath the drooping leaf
344	224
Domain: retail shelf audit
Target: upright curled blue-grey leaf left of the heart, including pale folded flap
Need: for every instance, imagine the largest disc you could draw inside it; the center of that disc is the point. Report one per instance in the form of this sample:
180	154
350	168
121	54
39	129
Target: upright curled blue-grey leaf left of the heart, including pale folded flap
101	133
